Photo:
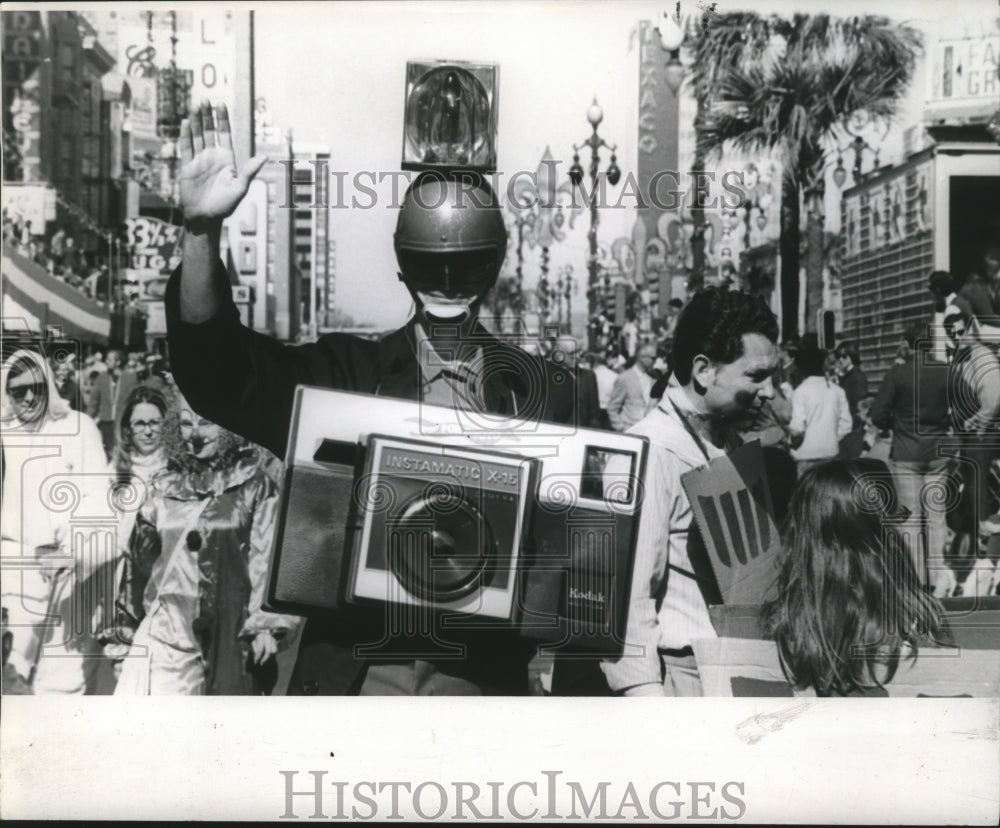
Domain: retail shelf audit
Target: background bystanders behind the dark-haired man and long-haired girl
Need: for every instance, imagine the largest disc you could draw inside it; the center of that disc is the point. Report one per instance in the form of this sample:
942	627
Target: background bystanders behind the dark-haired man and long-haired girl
930	419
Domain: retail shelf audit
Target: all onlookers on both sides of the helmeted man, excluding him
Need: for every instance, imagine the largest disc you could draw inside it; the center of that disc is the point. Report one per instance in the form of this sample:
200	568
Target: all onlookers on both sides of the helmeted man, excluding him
185	613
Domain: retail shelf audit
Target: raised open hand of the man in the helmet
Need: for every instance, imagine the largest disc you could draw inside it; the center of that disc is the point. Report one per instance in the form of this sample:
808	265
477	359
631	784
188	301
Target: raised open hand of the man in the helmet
210	186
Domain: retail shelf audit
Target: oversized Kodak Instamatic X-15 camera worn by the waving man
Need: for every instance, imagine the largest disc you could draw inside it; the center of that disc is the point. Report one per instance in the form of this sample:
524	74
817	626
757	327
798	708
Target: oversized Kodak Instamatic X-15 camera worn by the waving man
530	526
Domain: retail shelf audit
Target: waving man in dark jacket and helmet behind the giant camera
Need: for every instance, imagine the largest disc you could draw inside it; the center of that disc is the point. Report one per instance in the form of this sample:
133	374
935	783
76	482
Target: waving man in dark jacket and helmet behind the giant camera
450	243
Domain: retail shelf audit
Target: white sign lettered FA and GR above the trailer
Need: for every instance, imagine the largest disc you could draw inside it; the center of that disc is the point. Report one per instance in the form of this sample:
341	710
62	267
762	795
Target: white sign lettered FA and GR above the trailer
966	70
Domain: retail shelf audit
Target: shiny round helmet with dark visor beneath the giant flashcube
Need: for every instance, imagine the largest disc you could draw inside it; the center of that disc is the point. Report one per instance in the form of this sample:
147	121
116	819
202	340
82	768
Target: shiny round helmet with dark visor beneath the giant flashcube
450	235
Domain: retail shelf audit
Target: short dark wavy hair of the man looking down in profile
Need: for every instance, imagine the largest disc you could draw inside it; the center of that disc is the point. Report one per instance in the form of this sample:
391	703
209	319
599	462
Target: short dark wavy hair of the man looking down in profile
713	324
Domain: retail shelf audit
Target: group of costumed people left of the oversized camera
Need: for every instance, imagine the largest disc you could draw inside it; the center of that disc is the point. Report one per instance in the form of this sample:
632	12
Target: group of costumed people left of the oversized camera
172	603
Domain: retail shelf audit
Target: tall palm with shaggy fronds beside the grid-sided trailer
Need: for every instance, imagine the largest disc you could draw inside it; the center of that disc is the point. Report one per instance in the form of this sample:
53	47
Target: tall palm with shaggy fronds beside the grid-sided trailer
791	85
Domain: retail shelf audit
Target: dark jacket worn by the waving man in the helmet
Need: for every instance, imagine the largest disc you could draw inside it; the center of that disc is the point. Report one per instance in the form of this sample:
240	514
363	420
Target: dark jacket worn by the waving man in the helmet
245	381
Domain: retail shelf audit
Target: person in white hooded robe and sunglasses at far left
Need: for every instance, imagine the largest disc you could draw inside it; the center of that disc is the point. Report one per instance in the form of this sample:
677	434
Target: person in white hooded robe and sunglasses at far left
58	523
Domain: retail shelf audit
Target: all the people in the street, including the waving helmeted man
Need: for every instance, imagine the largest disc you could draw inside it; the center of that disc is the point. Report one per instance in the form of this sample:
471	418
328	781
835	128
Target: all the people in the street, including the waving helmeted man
190	457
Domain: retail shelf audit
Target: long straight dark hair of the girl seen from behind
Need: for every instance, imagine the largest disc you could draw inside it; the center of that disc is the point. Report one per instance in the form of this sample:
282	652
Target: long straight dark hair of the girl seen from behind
850	605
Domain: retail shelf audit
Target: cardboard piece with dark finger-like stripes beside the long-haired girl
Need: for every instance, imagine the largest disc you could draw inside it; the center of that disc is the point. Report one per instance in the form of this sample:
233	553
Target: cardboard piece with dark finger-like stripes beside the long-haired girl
731	501
